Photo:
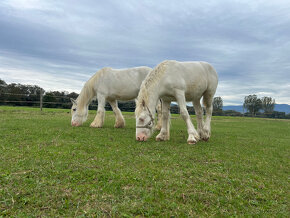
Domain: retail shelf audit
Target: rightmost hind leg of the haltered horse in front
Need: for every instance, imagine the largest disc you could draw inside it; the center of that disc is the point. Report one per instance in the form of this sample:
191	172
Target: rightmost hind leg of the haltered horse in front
207	102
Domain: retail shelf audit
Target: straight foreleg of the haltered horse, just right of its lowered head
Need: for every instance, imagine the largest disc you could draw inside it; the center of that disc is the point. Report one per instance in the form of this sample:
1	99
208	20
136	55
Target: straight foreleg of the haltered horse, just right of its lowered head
165	129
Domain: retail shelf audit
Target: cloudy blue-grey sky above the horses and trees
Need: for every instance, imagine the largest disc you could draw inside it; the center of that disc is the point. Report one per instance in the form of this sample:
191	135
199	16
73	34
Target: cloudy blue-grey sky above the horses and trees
59	45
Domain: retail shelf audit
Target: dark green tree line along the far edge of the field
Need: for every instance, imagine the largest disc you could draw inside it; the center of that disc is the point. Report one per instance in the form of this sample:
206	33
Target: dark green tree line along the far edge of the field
29	95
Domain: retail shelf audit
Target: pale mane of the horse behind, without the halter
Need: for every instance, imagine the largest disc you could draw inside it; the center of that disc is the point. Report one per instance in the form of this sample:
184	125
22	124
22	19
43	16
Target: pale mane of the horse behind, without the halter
88	92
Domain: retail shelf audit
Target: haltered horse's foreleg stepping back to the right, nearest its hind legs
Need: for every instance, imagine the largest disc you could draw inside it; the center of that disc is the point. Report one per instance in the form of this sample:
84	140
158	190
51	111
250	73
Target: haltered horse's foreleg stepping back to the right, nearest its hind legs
193	136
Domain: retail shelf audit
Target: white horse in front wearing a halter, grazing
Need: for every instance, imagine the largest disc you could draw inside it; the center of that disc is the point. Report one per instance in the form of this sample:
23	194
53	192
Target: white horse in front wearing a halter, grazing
181	82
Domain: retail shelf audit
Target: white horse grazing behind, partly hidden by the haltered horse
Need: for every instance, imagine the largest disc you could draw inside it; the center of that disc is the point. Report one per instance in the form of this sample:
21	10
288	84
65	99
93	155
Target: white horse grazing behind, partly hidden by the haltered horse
108	85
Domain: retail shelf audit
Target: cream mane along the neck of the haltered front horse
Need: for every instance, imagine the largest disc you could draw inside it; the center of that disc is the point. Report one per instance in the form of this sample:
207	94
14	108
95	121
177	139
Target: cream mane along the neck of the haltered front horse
148	84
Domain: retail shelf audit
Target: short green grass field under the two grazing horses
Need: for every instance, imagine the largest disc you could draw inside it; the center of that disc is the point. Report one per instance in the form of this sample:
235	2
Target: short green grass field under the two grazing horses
48	168
